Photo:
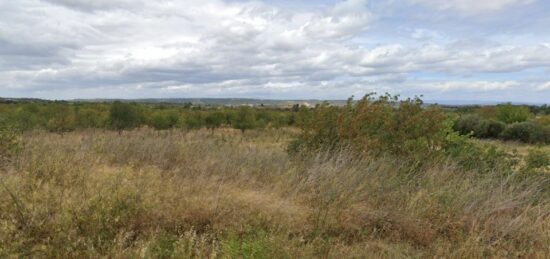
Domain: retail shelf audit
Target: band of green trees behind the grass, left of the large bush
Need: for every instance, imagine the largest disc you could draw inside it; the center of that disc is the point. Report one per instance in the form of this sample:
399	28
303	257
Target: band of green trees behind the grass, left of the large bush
64	116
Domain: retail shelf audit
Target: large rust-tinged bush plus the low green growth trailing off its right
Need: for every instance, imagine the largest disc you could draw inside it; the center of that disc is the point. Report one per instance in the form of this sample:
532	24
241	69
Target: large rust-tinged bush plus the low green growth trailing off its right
389	127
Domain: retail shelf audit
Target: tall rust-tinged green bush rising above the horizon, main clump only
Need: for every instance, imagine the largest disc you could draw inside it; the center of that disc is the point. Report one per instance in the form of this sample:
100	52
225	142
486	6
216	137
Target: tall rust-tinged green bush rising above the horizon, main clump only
376	126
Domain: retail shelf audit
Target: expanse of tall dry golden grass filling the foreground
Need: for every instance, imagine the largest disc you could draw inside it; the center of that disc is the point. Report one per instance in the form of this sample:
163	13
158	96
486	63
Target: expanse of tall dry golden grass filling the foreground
199	194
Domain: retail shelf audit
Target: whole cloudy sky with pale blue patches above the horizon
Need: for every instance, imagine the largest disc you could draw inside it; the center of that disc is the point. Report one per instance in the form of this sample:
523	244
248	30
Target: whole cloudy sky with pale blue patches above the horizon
446	50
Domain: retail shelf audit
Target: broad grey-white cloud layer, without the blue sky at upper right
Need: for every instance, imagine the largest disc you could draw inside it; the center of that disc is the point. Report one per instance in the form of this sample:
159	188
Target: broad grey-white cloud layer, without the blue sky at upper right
215	48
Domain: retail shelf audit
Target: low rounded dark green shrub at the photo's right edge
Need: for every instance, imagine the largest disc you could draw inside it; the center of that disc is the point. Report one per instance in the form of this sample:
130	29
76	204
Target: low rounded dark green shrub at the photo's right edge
528	132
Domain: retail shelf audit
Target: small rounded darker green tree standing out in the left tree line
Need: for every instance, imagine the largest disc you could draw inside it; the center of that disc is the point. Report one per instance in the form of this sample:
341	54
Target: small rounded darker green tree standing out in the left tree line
124	116
